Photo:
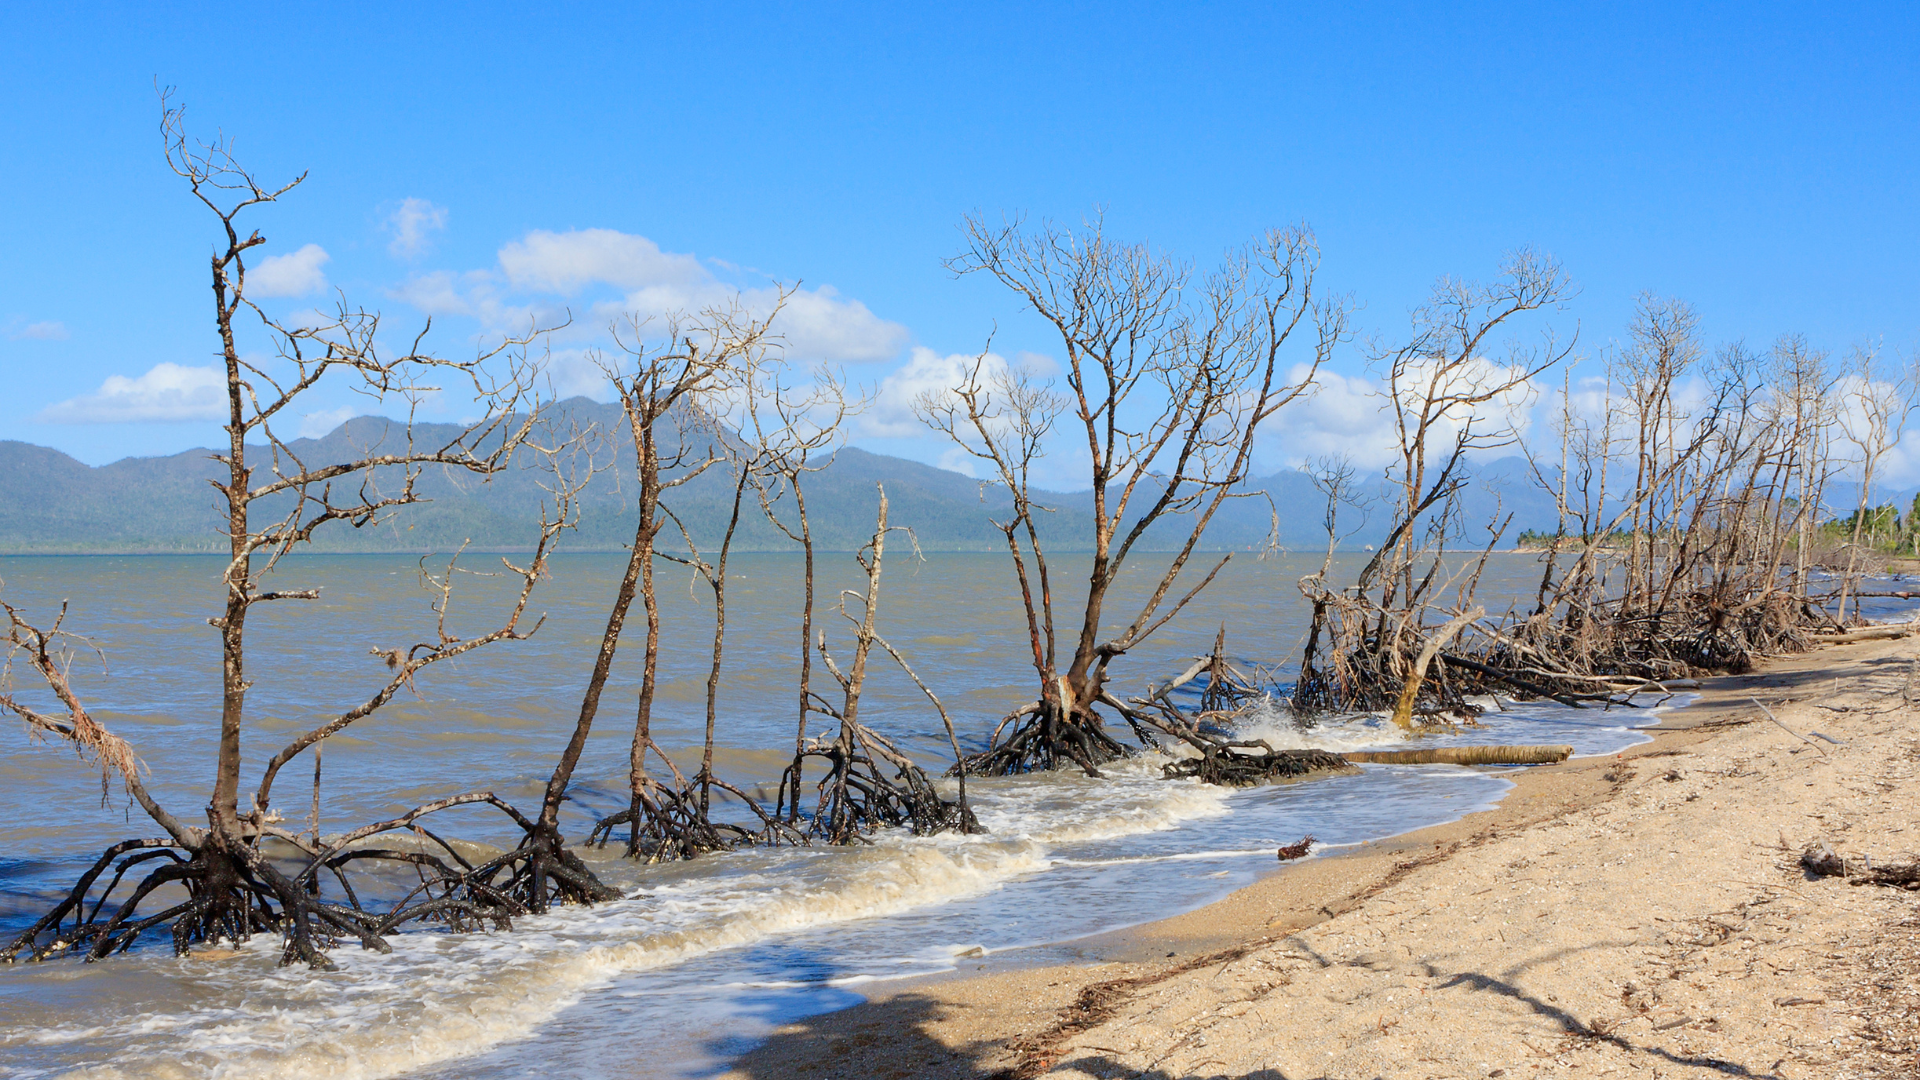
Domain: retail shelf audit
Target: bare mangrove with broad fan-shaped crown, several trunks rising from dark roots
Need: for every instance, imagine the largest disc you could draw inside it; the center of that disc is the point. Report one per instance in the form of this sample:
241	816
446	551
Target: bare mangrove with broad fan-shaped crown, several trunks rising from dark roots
1193	366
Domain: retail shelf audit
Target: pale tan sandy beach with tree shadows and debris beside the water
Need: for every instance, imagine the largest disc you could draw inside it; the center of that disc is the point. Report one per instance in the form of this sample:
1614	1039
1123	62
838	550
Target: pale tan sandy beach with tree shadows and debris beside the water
1637	916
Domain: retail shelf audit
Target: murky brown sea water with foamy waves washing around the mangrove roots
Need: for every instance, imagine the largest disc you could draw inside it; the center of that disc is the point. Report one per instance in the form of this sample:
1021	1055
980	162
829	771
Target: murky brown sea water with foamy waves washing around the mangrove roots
698	958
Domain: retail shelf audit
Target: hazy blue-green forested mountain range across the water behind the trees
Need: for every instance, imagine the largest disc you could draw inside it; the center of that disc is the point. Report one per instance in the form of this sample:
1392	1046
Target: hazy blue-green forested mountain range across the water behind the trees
53	504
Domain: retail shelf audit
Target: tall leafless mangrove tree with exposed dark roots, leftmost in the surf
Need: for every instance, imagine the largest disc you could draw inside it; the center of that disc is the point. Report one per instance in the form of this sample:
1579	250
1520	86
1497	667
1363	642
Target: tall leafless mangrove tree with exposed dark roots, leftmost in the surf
233	891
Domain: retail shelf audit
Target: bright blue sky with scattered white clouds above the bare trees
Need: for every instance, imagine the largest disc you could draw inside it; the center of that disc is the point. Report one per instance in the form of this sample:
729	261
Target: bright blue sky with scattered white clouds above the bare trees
1756	160
